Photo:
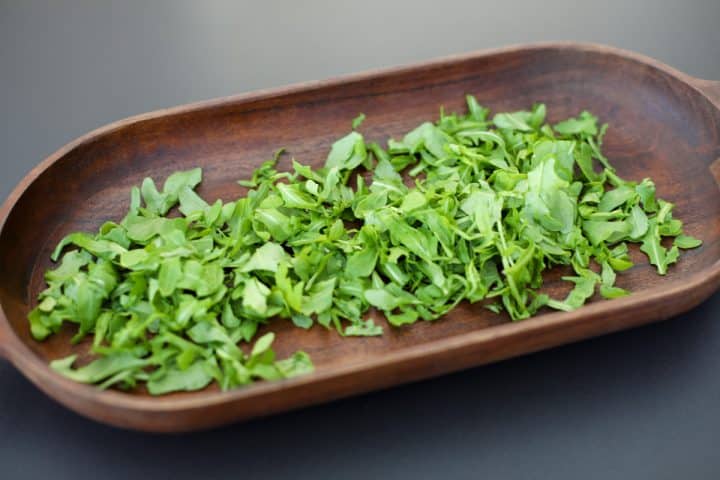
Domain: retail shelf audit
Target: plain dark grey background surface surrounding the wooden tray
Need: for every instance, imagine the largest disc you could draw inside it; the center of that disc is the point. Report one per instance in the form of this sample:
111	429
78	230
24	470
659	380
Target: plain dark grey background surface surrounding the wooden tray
643	404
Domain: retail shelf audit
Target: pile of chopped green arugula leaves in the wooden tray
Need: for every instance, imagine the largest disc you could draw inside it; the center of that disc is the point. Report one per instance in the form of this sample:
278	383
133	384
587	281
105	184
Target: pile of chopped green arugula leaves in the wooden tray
494	203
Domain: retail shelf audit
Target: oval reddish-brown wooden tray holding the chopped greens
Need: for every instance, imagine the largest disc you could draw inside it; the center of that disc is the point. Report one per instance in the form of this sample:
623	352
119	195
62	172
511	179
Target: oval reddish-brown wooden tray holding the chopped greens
663	124
